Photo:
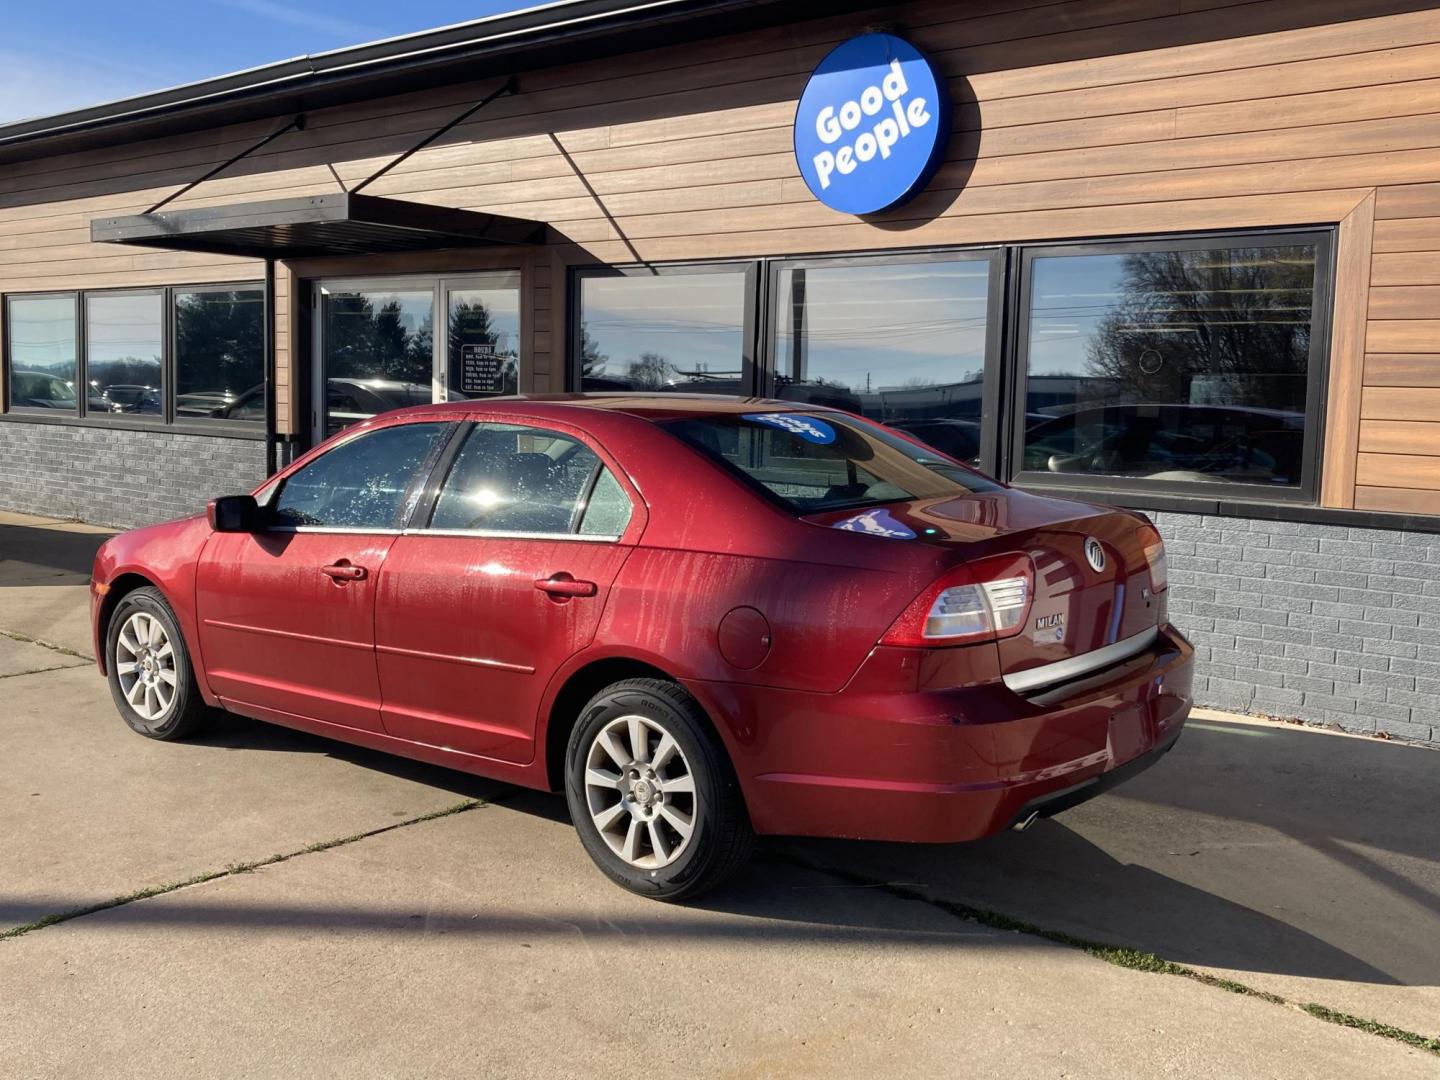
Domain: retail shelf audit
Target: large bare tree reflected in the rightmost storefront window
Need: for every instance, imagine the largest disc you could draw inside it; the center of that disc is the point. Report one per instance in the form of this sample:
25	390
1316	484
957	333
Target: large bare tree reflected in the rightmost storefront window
1210	328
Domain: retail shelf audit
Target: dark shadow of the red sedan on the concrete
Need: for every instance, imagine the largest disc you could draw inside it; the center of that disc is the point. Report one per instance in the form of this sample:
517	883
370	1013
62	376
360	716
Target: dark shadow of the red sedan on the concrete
1251	847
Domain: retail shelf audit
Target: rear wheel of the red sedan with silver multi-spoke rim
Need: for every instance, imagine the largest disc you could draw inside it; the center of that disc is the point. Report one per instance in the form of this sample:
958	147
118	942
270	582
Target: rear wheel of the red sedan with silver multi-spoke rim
653	794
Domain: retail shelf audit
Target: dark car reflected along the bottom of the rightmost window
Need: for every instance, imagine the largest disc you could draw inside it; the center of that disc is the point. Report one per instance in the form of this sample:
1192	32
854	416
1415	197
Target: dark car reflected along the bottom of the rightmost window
1173	443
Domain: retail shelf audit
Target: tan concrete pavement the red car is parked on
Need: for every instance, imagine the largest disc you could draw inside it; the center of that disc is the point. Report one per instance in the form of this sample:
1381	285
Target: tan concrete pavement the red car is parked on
485	942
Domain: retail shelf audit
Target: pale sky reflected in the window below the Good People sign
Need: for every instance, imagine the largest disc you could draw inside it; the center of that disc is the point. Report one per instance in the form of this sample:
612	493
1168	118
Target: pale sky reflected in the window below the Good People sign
885	326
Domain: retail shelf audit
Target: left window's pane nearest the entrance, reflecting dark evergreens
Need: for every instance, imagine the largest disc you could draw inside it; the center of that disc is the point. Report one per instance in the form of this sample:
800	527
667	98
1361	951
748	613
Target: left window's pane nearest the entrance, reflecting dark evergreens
221	355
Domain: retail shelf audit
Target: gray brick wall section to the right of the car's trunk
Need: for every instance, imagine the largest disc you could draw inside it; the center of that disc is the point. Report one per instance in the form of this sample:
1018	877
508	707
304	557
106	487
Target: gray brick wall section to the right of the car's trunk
1323	624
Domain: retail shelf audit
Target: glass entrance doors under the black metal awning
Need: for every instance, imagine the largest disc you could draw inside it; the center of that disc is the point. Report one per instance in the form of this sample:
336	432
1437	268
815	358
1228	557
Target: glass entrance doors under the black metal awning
390	345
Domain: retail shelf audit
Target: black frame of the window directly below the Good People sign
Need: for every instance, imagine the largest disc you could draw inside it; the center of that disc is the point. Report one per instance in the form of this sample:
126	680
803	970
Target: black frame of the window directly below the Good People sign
991	394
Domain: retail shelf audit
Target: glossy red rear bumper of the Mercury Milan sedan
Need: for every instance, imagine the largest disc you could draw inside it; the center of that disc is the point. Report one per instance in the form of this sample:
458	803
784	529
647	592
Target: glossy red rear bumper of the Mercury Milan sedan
950	765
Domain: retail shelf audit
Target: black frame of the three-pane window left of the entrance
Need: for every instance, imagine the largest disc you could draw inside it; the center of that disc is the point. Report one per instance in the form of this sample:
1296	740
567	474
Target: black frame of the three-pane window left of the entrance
83	417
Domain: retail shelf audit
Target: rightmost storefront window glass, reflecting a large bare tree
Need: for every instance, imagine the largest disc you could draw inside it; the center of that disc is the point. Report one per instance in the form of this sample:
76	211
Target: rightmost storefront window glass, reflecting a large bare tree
1186	364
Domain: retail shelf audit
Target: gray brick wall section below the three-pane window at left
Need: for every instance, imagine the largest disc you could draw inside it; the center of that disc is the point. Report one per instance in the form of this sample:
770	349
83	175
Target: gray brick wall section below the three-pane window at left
117	477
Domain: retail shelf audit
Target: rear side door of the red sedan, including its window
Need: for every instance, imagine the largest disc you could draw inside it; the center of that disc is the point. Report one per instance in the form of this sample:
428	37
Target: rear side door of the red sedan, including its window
498	584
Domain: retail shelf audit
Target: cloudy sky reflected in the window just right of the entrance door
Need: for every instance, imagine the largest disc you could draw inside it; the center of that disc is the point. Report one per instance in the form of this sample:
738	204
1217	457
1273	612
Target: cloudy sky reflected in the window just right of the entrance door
693	320
